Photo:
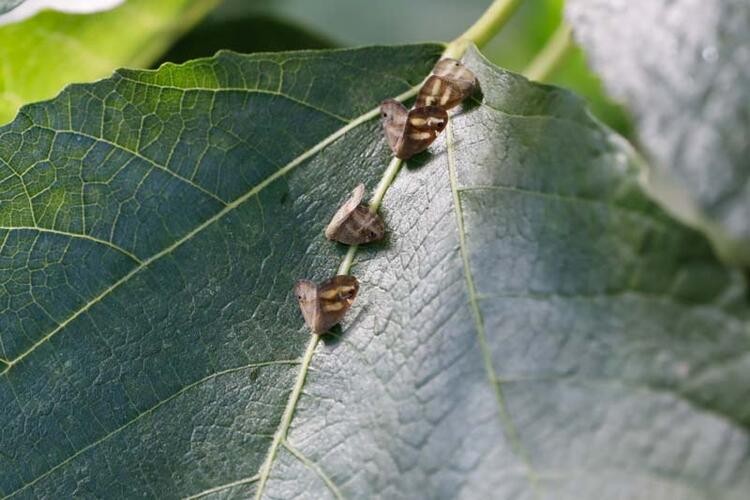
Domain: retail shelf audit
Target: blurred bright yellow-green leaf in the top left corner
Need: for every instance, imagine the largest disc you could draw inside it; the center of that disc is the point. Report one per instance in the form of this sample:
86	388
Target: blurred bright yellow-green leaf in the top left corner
75	48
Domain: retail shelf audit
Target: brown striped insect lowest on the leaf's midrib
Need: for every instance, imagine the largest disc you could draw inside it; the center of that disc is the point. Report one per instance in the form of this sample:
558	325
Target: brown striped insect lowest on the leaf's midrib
324	305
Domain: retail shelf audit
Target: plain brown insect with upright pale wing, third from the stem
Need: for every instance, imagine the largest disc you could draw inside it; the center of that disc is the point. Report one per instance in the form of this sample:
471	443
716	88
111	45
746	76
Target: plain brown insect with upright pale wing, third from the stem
354	223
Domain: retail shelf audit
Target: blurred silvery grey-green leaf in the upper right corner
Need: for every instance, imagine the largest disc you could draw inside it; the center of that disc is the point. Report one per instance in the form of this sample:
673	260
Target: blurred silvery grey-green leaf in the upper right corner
681	67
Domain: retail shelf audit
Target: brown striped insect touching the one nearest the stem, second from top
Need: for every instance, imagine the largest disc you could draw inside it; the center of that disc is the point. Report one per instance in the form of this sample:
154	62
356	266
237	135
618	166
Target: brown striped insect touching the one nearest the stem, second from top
411	131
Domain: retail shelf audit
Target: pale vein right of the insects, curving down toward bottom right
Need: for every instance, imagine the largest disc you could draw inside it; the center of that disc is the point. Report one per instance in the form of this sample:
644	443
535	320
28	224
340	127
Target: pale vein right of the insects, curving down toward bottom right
509	426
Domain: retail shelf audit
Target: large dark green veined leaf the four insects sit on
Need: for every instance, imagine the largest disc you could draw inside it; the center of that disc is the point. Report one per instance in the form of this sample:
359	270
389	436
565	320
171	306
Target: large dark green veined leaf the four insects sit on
532	325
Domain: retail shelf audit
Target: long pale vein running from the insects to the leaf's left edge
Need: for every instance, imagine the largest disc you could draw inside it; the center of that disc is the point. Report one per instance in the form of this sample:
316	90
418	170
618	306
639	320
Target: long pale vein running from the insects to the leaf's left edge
210	221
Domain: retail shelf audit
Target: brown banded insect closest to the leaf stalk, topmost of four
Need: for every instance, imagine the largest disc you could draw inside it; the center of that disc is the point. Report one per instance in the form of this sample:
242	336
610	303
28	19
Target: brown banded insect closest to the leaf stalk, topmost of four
450	83
